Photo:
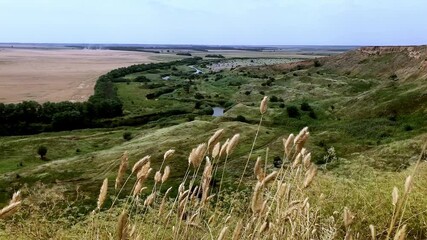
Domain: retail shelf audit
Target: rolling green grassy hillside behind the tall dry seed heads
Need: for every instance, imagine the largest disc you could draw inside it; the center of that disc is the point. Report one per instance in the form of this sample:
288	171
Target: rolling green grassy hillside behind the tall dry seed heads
366	110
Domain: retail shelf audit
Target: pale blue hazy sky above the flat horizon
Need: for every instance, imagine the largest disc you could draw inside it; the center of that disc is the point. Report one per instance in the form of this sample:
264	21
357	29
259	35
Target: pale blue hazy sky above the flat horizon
215	22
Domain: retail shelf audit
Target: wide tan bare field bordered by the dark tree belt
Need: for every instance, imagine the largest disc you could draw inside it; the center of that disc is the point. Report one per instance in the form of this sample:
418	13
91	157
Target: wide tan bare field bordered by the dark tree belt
59	74
